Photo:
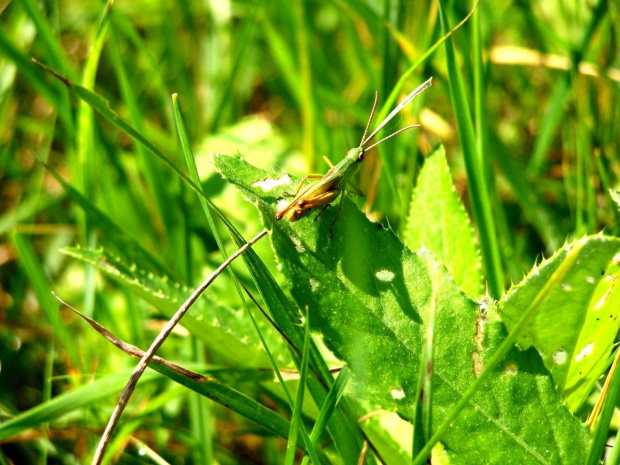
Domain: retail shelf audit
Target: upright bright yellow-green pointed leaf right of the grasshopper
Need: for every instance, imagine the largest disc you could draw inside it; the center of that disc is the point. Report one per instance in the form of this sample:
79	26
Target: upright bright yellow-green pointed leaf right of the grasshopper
438	221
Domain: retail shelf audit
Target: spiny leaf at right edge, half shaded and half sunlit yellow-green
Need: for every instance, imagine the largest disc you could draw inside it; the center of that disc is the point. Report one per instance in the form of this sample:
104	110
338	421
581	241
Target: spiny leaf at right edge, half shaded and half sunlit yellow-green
579	307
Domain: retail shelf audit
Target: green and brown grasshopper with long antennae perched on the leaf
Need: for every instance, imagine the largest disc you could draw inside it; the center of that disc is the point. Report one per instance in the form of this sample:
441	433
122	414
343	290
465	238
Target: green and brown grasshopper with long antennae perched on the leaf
337	180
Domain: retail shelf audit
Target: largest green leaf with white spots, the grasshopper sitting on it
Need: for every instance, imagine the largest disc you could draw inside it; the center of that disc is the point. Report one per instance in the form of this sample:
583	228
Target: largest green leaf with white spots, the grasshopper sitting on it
368	296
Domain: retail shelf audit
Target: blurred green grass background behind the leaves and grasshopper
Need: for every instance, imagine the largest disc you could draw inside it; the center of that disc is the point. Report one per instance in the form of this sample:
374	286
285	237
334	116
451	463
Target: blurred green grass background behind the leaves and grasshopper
282	84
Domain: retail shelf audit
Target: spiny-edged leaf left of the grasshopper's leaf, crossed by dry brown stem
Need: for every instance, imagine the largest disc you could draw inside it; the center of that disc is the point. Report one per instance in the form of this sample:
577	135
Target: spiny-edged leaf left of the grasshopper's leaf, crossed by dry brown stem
224	329
